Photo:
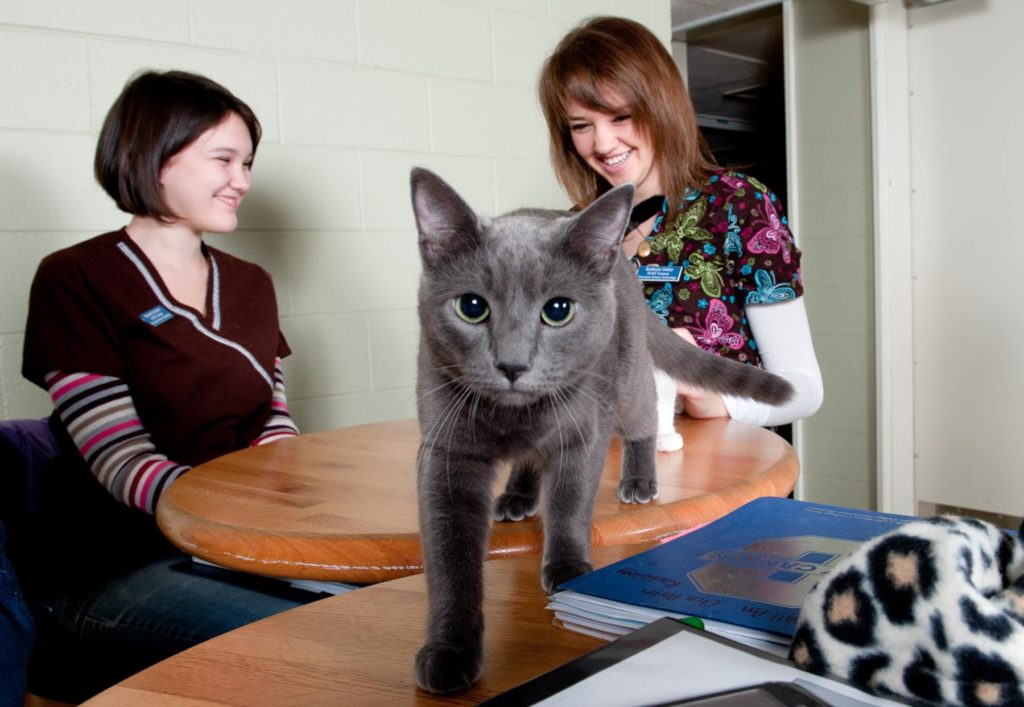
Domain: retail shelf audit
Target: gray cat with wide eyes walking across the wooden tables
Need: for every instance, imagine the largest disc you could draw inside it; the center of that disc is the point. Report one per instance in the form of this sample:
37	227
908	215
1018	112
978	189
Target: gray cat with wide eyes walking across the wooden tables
536	345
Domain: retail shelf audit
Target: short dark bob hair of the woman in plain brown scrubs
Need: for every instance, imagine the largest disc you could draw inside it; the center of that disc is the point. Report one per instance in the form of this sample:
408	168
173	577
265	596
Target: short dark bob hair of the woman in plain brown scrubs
156	117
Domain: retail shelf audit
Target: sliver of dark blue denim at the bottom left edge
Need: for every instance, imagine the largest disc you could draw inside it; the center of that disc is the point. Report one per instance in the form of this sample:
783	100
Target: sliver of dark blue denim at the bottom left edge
16	634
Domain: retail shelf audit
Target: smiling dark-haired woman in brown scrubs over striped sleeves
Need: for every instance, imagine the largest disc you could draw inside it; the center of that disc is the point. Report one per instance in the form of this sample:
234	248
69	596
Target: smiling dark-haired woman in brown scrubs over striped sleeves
159	353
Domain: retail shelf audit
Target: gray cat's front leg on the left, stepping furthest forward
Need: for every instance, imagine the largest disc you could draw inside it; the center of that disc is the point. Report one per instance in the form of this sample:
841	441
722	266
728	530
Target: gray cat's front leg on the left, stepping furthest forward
455	527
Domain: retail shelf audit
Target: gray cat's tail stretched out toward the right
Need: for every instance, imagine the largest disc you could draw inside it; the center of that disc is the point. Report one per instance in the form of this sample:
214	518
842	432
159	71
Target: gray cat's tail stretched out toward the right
691	364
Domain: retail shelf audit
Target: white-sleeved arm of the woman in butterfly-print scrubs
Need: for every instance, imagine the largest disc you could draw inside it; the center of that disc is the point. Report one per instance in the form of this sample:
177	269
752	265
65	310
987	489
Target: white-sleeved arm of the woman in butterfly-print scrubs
784	339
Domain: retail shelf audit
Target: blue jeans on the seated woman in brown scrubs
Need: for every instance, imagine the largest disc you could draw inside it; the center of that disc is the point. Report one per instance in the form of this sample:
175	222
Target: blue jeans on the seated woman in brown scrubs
141	618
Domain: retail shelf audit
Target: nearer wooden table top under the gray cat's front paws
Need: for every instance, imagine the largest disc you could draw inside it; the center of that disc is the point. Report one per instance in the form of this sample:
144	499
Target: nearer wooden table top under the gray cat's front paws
358	649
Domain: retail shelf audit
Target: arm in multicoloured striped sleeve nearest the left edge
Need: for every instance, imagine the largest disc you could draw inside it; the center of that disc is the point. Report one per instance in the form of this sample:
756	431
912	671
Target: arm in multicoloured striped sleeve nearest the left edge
101	418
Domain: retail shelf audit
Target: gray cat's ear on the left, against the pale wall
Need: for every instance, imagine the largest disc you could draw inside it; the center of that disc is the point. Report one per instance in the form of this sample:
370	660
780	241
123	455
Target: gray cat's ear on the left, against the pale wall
446	224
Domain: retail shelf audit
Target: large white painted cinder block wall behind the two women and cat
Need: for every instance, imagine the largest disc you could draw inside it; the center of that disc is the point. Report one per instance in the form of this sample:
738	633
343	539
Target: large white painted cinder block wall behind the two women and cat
352	94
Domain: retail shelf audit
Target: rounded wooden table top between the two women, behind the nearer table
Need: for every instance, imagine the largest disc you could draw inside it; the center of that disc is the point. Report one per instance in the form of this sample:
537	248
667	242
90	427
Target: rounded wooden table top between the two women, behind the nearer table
340	506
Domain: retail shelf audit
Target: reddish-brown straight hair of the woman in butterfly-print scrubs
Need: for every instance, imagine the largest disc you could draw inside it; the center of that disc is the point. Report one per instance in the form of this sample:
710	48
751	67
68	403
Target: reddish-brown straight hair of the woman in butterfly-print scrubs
606	57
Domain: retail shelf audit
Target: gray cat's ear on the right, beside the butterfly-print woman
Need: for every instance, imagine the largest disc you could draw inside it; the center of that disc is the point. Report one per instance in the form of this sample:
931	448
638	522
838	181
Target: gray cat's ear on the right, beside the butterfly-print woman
596	233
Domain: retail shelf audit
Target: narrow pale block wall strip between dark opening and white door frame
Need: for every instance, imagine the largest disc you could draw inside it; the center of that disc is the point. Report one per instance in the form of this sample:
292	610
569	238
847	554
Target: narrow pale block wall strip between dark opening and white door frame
835	231
